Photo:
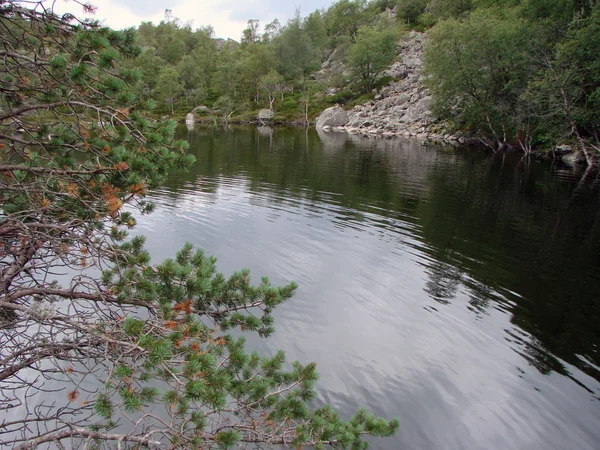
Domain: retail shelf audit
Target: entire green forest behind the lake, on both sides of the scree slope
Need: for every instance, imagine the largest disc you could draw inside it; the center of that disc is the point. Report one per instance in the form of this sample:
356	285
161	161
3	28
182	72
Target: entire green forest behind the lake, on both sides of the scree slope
521	73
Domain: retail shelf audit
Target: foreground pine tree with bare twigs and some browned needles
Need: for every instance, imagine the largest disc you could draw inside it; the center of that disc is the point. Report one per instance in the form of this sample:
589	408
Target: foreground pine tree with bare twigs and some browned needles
142	354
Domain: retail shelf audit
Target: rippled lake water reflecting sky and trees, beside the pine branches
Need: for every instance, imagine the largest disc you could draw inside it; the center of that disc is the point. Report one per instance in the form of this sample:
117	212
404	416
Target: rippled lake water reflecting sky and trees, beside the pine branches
455	290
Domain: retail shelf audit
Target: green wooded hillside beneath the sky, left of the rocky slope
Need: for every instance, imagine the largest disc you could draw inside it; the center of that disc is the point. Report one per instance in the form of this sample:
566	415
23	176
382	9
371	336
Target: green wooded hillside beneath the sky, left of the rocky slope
272	66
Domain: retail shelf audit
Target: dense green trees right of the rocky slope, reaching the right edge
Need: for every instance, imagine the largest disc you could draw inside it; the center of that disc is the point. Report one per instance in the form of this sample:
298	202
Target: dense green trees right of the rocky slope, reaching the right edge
520	71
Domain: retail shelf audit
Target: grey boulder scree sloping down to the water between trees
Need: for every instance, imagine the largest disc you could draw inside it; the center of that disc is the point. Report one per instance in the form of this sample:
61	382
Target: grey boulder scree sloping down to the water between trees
403	107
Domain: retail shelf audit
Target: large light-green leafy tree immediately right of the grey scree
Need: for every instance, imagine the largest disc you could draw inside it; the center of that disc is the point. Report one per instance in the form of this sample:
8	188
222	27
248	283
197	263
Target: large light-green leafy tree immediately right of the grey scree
477	69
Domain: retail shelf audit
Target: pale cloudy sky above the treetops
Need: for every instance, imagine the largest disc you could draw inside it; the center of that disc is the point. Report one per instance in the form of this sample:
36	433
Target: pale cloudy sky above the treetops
228	17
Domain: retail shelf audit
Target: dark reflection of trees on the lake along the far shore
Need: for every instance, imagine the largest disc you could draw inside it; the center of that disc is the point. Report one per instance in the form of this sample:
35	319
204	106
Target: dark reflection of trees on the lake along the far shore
509	232
